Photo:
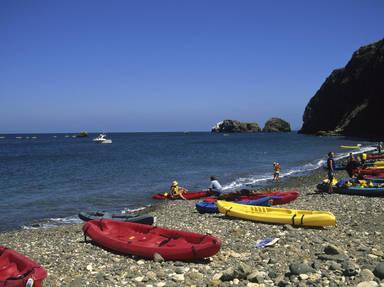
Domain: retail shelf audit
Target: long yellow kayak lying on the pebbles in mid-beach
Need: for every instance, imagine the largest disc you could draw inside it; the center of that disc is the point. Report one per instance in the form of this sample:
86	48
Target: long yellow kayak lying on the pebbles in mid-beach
277	215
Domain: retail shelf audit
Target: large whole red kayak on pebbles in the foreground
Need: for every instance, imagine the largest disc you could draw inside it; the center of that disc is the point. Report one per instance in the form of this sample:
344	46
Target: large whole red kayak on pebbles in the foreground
144	240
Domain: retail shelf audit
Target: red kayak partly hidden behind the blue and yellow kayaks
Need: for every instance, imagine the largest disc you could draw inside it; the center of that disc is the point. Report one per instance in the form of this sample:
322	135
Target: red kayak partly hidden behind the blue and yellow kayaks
282	197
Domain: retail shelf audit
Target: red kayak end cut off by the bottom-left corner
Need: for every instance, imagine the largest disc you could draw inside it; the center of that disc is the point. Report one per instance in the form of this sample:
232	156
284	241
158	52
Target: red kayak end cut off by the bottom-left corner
16	270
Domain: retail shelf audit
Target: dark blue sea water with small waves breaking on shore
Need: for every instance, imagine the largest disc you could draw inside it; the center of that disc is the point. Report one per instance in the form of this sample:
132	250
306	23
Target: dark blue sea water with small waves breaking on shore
47	180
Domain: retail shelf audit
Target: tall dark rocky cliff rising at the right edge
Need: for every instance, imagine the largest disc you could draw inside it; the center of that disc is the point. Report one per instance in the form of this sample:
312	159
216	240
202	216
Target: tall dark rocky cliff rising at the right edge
350	101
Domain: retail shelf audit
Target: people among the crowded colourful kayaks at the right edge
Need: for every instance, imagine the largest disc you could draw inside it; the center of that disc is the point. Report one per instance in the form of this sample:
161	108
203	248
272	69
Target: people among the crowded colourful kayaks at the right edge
365	171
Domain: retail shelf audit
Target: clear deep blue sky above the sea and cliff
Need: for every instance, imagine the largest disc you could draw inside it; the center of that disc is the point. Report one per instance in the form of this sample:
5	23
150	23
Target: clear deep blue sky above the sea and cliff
171	65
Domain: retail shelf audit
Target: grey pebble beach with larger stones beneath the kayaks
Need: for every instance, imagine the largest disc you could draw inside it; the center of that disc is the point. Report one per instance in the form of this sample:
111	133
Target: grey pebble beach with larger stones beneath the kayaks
350	254
